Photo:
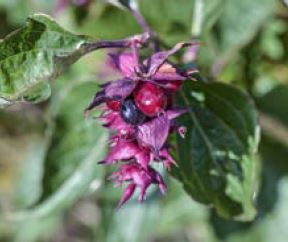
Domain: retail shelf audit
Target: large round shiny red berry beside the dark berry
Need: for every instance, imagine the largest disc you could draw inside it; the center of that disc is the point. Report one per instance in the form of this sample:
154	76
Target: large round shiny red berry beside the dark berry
150	99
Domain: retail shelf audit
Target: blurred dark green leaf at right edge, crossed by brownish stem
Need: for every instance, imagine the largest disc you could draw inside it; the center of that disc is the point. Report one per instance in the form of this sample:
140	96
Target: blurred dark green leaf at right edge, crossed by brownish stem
274	123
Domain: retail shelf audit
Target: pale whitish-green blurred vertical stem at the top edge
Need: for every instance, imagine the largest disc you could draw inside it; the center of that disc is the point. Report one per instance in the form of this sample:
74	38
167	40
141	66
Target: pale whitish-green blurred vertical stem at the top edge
197	21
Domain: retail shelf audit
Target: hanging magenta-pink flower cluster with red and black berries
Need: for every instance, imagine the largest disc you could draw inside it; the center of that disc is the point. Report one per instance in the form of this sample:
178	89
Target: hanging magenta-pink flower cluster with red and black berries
139	110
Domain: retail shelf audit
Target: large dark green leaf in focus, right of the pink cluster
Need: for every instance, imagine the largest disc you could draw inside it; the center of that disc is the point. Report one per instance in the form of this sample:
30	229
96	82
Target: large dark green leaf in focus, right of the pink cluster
217	162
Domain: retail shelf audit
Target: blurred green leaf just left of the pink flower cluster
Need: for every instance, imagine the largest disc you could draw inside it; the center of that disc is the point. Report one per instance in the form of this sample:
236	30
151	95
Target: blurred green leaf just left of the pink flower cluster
74	136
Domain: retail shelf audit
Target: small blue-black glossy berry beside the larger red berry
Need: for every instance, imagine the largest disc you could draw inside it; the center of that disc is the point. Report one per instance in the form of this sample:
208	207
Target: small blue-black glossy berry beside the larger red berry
130	113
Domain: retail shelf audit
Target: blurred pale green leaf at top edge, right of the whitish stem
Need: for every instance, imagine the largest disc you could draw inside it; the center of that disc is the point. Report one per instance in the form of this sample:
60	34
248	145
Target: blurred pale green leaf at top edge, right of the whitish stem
240	21
